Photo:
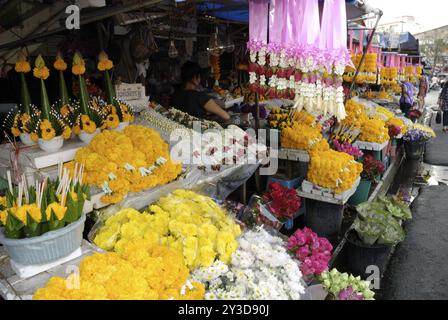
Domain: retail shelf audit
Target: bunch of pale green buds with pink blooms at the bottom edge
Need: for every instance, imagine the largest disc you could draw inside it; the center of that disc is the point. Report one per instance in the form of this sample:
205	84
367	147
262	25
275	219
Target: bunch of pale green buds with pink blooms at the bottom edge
342	286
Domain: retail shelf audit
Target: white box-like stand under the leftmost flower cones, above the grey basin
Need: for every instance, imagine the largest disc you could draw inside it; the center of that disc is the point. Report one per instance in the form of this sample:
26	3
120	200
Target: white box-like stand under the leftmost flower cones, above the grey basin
36	158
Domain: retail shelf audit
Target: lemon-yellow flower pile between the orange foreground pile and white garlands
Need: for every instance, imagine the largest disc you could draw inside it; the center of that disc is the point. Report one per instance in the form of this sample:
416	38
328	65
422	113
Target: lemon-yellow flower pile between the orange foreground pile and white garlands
191	224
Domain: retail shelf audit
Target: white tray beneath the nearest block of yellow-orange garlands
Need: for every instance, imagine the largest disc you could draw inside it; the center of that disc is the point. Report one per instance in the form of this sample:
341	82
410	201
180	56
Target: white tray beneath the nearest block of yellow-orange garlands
311	191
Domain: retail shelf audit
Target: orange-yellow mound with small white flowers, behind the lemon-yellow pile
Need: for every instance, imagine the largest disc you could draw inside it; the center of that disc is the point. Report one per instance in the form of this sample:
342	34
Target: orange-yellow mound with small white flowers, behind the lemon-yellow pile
130	161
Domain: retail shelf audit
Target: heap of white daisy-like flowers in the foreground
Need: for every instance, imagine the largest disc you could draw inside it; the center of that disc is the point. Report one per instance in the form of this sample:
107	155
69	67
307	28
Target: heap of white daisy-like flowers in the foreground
260	269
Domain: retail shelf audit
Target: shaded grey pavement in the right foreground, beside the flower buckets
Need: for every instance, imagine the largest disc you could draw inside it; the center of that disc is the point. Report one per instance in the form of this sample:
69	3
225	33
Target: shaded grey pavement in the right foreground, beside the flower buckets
418	269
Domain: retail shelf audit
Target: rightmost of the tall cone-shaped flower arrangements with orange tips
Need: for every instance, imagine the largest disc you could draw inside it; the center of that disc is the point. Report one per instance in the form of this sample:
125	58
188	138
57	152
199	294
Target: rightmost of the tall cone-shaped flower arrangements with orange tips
119	114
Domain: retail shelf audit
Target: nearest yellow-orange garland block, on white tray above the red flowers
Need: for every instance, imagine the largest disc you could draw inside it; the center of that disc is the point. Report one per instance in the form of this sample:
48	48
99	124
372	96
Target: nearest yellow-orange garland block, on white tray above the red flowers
334	170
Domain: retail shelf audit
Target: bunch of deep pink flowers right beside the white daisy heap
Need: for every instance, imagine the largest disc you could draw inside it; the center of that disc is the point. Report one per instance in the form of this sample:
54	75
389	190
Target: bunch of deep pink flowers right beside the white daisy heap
313	252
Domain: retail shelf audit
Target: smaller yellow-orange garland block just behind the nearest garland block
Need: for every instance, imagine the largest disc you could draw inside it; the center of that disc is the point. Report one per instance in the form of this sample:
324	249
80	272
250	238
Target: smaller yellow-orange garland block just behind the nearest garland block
301	136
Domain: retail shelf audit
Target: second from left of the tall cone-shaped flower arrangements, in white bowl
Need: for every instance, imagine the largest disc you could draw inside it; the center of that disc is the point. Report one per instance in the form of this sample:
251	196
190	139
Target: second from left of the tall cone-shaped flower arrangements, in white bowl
50	128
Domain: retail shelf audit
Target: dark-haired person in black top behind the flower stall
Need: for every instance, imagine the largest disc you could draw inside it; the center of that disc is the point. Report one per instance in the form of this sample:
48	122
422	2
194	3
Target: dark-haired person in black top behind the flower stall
192	101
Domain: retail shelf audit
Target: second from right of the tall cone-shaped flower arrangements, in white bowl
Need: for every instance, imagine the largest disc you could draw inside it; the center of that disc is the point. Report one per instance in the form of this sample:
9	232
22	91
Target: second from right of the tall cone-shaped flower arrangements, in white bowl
91	118
